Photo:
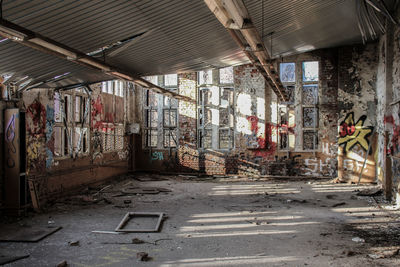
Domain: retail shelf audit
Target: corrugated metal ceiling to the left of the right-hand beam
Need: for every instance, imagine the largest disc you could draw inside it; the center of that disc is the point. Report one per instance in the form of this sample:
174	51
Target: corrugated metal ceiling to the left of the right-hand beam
182	36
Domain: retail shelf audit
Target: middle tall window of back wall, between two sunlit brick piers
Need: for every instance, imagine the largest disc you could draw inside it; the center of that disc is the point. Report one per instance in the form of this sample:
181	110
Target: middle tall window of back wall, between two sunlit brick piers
215	110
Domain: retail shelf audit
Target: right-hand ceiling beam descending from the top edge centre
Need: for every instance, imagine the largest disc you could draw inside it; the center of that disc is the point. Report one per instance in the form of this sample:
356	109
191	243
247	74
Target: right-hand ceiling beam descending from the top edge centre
246	35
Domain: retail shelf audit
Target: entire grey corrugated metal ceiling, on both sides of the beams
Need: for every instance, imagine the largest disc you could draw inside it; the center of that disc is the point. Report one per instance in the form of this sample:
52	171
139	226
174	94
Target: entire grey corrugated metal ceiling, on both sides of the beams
181	35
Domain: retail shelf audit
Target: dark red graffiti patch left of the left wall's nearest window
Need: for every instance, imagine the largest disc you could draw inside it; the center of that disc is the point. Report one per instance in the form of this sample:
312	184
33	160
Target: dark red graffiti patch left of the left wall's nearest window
36	122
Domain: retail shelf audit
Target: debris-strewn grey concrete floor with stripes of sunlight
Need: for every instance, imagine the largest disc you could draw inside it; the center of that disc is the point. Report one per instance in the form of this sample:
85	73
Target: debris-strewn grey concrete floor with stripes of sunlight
220	223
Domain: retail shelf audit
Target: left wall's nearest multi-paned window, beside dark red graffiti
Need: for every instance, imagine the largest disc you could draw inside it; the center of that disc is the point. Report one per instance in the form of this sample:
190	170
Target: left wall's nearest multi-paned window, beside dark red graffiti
71	130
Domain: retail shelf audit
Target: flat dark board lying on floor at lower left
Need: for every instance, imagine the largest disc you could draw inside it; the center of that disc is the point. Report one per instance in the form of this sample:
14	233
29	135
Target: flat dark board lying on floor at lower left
27	234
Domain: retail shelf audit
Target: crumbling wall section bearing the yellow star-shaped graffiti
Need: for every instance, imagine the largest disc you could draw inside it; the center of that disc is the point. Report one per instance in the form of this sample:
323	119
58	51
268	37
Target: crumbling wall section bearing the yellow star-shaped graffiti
357	117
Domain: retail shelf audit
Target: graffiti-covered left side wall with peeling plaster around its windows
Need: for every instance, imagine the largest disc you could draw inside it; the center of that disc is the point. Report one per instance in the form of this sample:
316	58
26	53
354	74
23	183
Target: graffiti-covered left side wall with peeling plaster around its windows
55	175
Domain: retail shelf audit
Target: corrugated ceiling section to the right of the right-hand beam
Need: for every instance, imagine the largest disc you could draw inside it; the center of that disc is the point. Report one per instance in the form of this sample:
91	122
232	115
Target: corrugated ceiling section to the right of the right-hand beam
304	25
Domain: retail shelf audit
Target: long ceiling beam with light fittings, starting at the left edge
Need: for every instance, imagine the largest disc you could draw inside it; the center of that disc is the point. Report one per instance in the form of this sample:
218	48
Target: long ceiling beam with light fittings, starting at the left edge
36	41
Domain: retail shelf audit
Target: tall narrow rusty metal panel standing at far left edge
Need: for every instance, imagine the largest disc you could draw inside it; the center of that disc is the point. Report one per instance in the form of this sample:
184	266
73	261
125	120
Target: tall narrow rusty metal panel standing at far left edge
12	156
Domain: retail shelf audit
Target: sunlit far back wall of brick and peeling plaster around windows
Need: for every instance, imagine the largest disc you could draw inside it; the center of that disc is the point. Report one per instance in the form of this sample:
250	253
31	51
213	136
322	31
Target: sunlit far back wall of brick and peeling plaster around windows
255	148
